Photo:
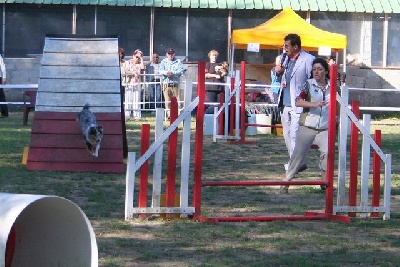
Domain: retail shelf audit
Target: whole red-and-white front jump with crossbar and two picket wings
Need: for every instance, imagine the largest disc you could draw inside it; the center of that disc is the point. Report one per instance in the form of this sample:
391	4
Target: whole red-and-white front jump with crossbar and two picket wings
331	212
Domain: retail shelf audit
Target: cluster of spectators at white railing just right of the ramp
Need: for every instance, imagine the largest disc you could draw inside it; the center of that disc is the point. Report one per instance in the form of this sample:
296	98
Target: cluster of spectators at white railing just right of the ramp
165	73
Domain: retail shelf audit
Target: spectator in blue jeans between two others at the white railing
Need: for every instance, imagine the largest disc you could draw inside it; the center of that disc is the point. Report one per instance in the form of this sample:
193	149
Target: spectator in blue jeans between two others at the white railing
152	75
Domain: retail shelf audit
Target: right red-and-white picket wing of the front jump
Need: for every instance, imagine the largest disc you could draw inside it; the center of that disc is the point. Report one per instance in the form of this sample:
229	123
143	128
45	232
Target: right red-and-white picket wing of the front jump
351	206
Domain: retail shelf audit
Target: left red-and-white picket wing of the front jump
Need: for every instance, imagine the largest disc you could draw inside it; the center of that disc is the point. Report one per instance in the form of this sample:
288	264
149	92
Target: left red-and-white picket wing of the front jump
134	165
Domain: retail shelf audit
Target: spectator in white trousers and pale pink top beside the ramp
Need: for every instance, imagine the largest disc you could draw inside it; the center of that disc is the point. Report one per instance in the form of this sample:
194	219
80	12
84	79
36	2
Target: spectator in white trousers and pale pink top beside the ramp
133	69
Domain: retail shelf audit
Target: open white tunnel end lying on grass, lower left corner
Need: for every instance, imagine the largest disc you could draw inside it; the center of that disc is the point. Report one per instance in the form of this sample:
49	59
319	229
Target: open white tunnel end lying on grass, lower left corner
45	231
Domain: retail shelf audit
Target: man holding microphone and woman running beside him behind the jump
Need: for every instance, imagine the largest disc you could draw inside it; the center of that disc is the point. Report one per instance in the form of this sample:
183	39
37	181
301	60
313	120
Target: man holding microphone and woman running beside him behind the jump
303	93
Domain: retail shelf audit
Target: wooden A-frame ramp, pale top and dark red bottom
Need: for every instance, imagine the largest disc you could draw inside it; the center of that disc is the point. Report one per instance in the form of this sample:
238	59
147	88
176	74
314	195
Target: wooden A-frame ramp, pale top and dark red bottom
75	71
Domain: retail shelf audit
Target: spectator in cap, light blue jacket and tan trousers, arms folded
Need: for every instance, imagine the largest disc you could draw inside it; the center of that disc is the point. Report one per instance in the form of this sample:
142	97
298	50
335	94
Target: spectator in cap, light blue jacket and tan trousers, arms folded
171	68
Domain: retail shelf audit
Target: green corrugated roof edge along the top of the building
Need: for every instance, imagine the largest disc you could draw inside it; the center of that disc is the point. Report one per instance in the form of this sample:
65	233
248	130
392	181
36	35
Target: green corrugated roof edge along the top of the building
367	6
